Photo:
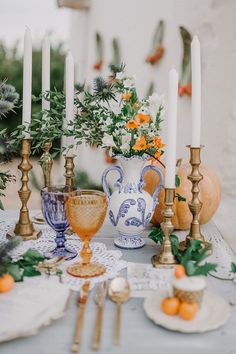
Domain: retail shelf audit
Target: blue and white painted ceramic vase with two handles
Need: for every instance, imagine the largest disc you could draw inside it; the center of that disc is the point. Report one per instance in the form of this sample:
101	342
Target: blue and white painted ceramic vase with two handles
130	207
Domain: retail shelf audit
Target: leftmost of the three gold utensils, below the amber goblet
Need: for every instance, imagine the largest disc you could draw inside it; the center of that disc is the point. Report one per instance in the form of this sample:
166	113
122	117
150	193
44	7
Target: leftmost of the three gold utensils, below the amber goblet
84	292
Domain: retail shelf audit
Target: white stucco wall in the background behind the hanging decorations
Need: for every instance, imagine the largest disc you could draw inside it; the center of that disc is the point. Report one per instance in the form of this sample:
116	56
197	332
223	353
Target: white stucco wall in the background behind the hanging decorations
134	22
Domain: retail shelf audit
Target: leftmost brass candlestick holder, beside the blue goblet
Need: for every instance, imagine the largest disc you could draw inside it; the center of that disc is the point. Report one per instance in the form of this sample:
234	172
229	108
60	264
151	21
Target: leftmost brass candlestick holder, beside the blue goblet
24	226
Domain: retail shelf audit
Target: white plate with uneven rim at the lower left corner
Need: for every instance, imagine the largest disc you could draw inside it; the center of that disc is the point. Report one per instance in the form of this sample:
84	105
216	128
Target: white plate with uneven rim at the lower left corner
30	305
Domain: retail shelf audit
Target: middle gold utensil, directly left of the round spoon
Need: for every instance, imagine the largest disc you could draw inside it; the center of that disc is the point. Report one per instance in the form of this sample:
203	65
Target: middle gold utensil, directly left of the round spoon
99	298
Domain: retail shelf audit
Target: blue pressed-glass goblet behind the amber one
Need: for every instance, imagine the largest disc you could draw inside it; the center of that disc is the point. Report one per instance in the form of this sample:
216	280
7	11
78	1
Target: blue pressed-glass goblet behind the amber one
53	207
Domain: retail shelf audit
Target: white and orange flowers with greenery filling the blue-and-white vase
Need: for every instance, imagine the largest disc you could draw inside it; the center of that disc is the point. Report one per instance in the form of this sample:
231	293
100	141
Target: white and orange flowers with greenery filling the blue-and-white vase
112	116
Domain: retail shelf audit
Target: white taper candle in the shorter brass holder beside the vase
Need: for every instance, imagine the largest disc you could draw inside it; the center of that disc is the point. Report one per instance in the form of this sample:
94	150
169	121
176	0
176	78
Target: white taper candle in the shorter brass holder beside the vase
171	129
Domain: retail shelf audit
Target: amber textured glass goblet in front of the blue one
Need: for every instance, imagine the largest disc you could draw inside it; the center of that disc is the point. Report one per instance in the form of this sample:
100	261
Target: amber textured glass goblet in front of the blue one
86	211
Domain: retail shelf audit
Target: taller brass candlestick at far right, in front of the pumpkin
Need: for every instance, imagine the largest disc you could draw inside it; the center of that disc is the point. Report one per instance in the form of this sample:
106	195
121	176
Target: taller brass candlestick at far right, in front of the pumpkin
195	205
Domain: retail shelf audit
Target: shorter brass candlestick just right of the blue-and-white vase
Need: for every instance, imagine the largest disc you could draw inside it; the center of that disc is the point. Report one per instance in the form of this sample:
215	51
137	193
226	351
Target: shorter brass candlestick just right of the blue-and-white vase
166	257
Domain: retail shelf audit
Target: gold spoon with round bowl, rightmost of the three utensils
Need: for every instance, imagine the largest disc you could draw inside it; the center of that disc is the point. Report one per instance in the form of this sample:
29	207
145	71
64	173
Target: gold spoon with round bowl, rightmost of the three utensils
119	292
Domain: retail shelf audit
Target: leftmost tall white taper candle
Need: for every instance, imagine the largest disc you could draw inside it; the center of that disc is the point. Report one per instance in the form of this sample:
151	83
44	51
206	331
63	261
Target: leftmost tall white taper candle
27	78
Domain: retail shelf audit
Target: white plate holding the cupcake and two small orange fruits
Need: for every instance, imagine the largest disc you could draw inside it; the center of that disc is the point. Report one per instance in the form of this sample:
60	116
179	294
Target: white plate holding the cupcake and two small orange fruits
214	313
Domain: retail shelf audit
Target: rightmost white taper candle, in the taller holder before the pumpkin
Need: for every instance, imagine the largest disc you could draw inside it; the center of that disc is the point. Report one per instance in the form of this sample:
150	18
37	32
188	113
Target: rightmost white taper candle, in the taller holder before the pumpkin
196	92
